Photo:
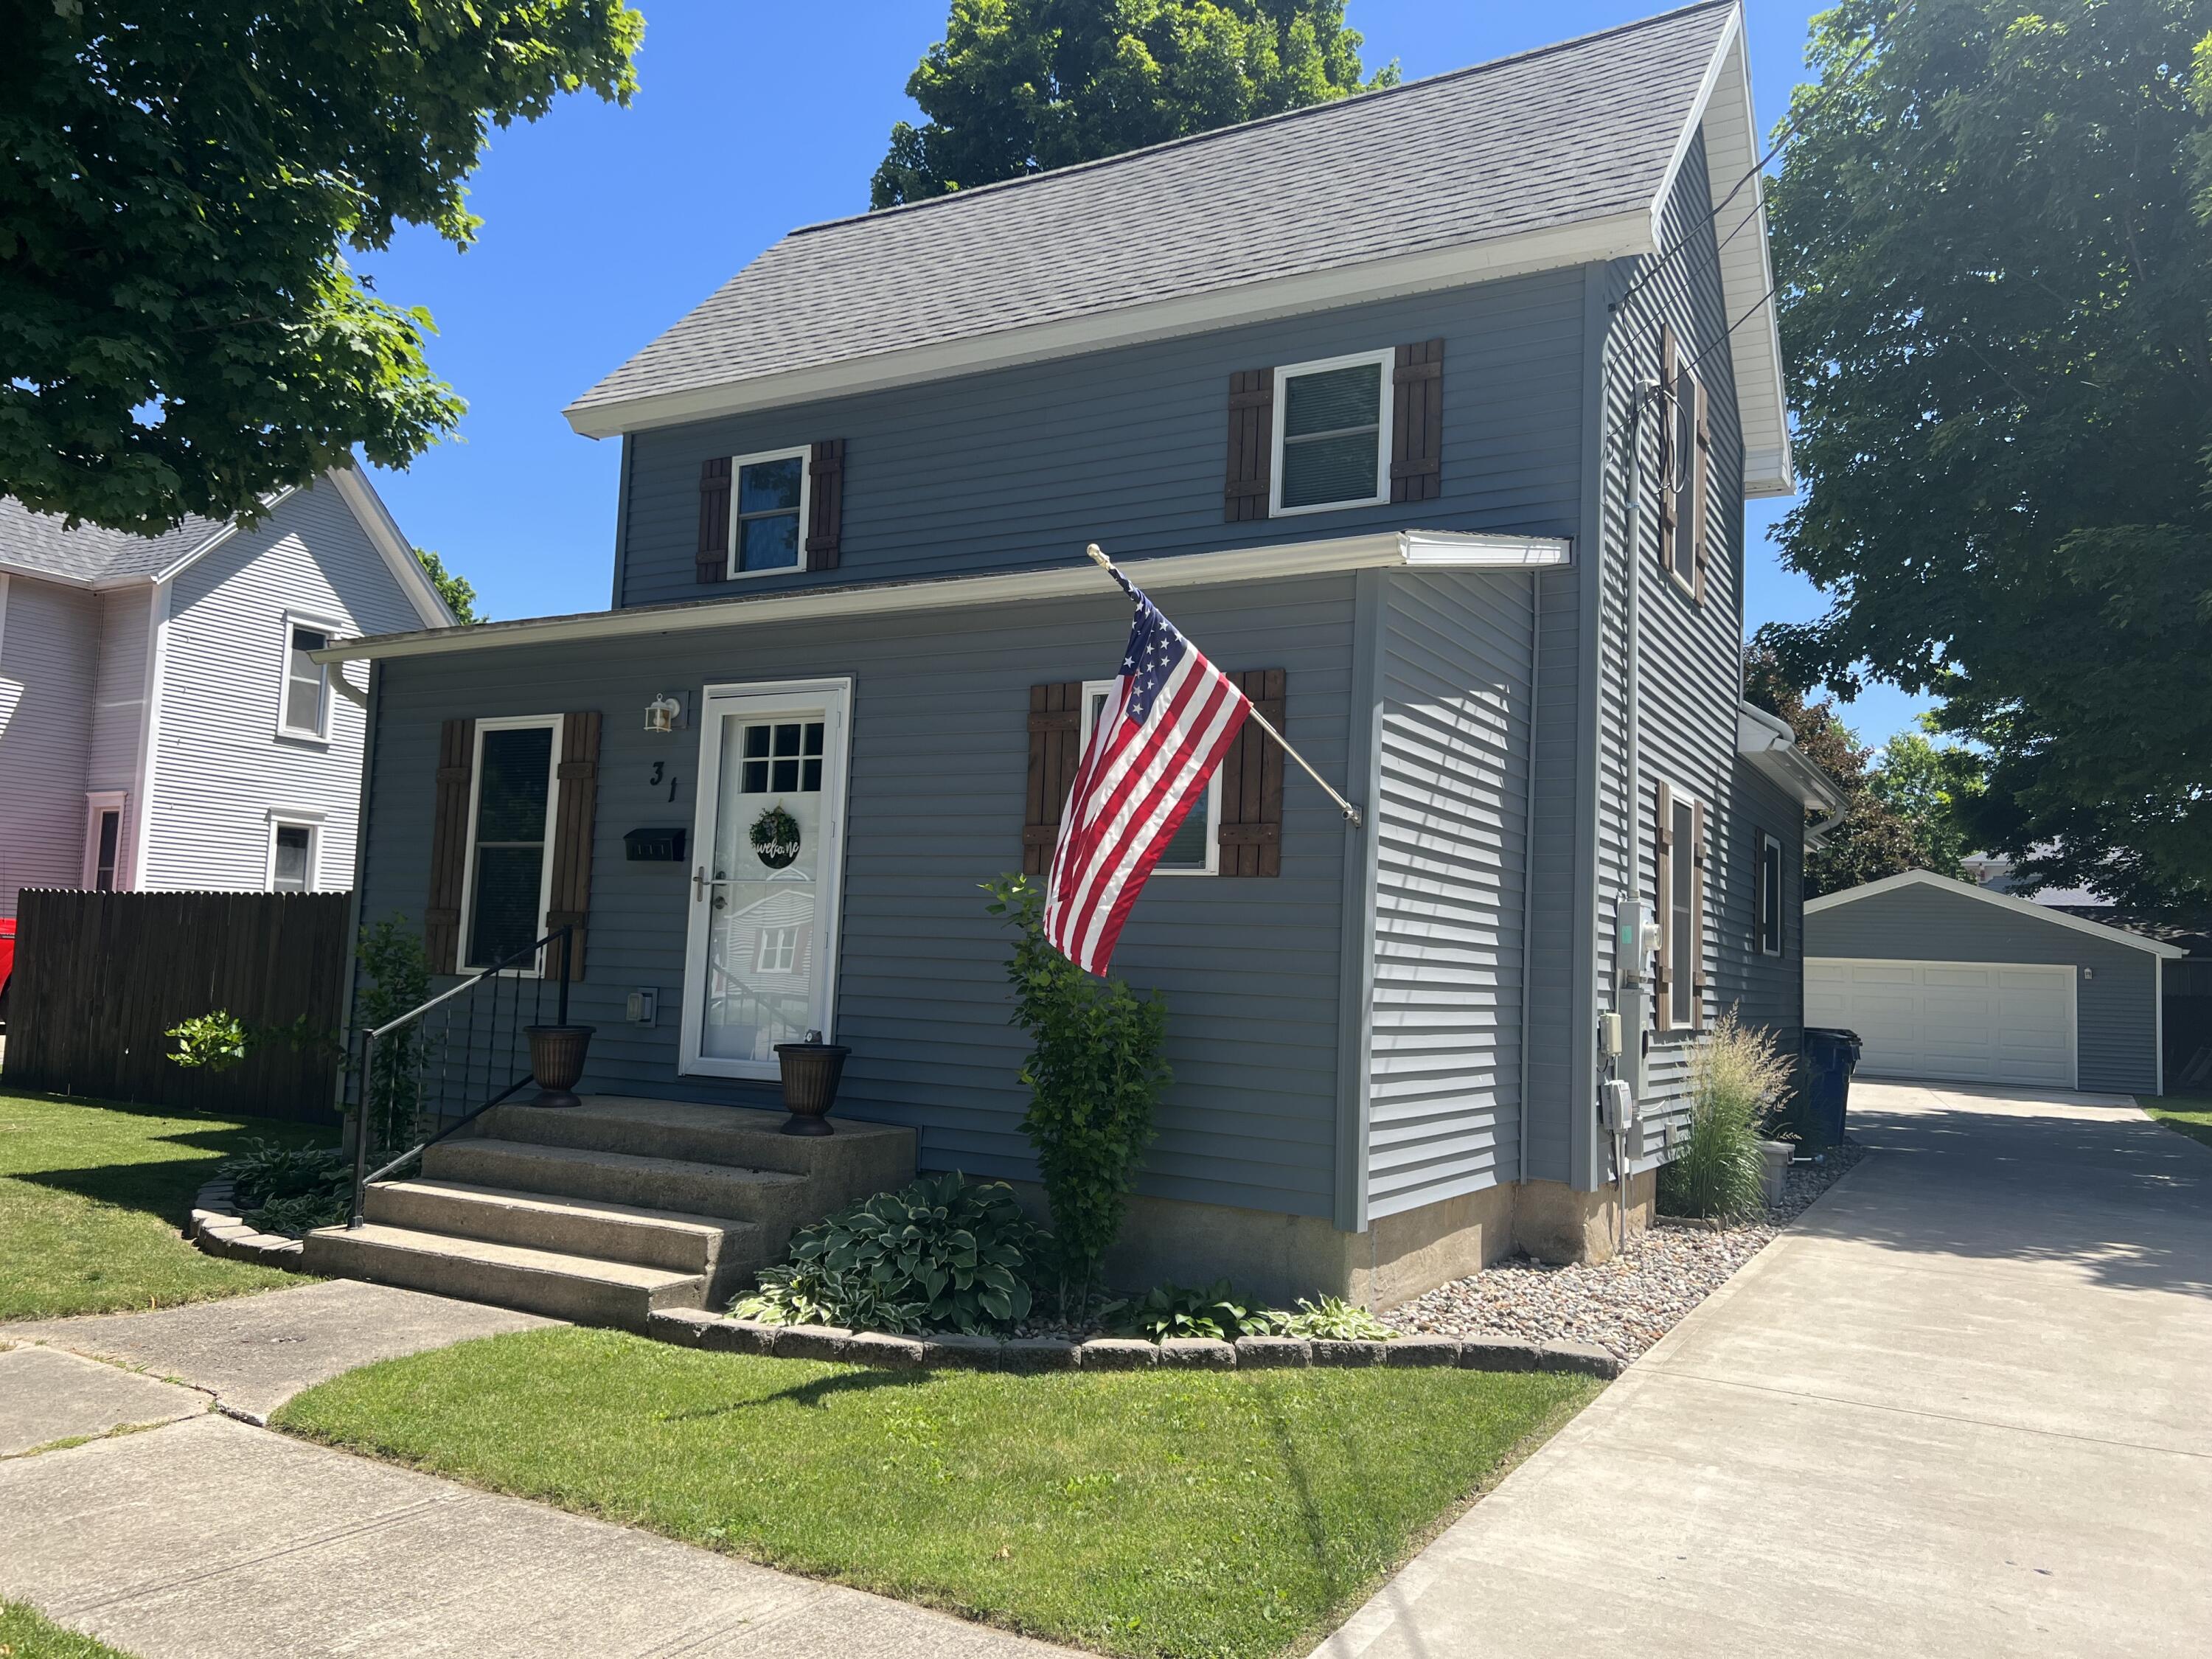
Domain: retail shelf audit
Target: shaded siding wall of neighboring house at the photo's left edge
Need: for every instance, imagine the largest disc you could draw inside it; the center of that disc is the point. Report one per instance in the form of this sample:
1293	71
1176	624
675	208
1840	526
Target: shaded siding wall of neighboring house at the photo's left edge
50	656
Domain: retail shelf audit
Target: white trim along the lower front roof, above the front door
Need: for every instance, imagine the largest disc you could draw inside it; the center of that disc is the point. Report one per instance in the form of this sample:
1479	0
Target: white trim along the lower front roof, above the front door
1384	550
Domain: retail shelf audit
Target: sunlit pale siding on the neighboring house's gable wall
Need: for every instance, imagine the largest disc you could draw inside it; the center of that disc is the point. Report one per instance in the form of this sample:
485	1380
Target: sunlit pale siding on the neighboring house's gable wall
222	769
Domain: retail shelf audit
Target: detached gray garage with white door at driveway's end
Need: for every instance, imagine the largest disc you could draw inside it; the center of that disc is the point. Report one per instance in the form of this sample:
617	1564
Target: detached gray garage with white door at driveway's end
1961	983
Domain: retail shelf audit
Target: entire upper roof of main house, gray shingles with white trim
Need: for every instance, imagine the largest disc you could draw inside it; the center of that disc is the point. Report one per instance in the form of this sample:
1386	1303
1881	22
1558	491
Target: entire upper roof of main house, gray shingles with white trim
1550	158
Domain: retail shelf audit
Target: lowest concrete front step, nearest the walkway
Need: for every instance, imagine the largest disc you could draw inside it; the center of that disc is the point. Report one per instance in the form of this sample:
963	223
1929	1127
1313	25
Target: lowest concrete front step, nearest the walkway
541	1282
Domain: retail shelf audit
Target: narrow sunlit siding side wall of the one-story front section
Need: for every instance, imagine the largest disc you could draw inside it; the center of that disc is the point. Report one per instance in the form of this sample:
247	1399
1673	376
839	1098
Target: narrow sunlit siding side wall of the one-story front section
1452	828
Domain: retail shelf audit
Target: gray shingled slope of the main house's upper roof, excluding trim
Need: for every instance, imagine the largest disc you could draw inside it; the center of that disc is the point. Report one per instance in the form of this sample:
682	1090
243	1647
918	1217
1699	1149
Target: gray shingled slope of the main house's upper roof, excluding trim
1547	138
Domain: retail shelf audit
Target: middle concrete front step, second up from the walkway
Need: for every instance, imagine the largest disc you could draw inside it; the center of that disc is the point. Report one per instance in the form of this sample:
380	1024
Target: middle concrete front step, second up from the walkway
720	1249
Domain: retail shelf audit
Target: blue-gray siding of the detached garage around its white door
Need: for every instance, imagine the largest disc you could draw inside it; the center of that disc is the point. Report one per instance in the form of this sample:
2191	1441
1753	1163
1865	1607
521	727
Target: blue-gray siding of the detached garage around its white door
2116	1010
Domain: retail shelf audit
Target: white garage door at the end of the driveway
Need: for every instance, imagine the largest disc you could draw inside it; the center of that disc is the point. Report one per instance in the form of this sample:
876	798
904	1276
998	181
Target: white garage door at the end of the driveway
1981	1023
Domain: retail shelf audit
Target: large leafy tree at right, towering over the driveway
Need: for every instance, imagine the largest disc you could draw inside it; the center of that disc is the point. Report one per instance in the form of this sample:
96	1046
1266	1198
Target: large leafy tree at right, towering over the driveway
1994	238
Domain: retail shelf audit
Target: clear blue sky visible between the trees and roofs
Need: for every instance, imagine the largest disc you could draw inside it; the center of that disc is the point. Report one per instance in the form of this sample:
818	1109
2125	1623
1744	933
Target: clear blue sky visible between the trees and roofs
603	227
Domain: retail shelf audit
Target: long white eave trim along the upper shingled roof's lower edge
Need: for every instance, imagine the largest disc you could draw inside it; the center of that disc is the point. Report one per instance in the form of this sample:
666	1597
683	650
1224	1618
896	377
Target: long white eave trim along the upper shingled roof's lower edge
1556	247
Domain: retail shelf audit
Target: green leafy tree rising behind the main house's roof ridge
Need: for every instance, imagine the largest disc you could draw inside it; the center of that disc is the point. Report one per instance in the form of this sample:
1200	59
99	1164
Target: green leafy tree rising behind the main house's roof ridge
1032	85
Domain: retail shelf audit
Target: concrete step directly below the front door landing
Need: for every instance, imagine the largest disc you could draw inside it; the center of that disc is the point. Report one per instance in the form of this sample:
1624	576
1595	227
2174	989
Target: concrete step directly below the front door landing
771	1198
